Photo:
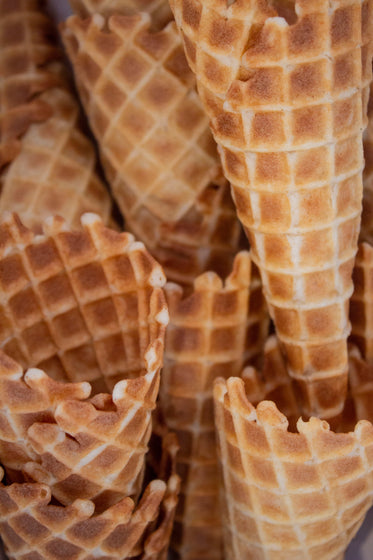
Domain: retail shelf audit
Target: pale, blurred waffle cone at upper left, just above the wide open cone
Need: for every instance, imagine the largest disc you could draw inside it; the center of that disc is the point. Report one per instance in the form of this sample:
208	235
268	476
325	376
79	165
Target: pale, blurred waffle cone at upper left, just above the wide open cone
54	171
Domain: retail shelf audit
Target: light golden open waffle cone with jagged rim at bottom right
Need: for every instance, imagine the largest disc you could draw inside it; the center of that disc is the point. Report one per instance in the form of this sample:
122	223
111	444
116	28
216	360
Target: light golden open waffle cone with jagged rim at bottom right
289	495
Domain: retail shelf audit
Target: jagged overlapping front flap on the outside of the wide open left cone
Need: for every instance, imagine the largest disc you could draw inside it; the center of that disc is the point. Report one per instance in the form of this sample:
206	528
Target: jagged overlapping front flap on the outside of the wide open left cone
80	457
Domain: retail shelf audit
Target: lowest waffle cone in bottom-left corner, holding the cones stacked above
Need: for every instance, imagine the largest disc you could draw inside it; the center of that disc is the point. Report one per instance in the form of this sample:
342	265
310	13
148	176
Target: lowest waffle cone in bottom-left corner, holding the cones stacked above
30	525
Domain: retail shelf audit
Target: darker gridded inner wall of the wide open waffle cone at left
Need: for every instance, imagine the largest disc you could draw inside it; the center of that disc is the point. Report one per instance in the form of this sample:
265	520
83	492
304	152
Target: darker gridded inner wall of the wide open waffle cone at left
83	305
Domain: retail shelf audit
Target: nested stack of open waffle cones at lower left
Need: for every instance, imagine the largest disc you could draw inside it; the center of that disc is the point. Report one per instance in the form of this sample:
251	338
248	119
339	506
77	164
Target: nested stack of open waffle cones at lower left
62	438
